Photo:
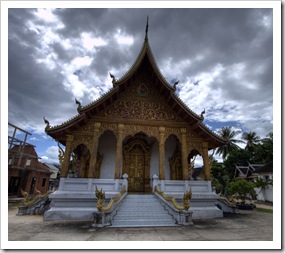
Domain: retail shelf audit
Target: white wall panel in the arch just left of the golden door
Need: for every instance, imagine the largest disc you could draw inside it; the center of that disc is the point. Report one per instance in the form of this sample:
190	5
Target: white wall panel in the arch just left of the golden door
107	147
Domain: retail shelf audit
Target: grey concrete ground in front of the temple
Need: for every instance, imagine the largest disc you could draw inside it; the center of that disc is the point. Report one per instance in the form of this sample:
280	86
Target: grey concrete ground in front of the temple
245	226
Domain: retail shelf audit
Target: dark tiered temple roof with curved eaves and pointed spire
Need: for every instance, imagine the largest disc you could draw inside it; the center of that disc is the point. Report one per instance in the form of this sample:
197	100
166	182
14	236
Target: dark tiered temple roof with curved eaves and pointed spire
145	61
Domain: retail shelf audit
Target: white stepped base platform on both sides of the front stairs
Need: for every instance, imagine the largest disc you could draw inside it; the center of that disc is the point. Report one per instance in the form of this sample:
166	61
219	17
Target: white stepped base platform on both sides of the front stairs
75	199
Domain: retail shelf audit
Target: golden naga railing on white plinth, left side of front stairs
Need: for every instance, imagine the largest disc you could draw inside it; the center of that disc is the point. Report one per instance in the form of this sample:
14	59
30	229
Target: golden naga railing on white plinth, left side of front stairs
104	214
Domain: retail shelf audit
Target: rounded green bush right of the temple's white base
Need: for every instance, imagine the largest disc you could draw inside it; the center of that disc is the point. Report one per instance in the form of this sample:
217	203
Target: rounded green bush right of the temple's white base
242	187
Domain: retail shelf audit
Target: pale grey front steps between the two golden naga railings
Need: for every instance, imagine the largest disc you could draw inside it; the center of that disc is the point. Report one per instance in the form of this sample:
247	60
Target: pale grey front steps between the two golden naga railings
142	211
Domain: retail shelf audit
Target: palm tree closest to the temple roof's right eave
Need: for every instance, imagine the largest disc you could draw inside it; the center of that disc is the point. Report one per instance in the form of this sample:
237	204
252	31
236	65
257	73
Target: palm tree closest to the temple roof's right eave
228	134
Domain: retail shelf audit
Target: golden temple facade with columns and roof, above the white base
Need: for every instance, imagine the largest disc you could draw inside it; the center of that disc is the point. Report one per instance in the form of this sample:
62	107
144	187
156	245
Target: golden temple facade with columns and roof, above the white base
140	127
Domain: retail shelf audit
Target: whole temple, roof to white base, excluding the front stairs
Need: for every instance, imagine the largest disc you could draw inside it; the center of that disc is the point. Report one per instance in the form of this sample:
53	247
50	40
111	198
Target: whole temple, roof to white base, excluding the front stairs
139	130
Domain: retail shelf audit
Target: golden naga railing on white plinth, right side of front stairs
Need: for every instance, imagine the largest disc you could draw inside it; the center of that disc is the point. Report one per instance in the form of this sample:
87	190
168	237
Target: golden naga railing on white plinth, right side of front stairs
180	213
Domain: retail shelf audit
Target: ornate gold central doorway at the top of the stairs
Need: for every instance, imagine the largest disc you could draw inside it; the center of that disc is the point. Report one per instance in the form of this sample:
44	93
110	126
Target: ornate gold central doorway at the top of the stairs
137	164
